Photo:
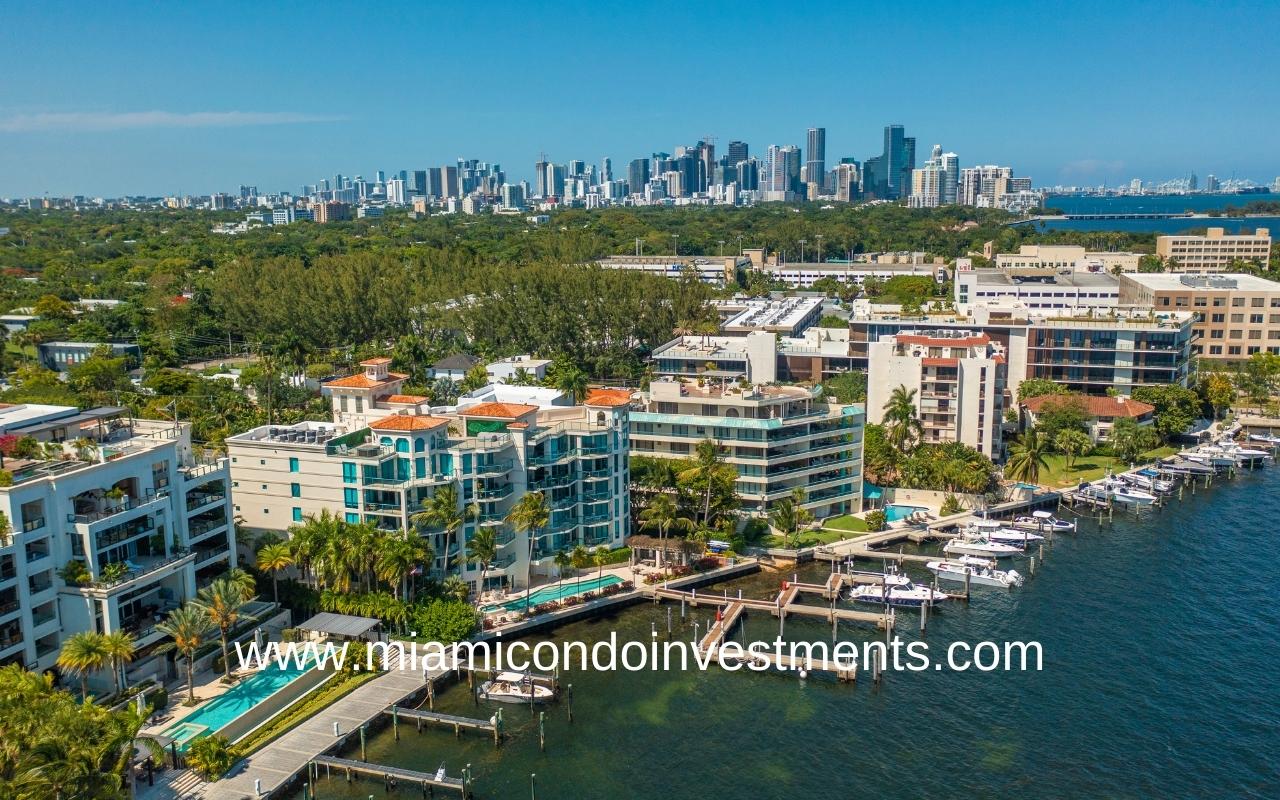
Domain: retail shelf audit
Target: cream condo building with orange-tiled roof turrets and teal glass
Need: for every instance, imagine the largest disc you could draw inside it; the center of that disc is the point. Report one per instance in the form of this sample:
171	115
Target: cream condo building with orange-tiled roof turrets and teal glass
386	454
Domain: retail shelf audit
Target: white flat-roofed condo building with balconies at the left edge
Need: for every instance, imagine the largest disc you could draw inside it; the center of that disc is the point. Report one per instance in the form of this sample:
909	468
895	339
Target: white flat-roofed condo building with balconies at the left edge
131	504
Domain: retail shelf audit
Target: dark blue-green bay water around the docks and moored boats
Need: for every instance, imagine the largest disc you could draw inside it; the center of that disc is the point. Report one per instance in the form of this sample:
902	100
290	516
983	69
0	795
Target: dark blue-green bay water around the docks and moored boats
1160	637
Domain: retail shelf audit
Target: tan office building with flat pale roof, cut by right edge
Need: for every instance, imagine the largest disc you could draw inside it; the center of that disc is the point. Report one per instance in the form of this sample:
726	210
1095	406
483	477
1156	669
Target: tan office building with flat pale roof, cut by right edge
1237	316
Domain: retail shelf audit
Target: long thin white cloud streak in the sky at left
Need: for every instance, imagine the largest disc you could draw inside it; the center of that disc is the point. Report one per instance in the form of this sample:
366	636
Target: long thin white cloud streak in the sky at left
132	121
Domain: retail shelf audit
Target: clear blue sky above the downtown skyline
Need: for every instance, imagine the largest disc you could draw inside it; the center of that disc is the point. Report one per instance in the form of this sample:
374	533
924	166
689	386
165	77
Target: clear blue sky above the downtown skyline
129	98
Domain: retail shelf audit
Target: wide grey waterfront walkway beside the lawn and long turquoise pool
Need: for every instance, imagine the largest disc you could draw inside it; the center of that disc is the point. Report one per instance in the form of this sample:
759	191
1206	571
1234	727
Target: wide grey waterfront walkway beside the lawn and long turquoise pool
289	756
